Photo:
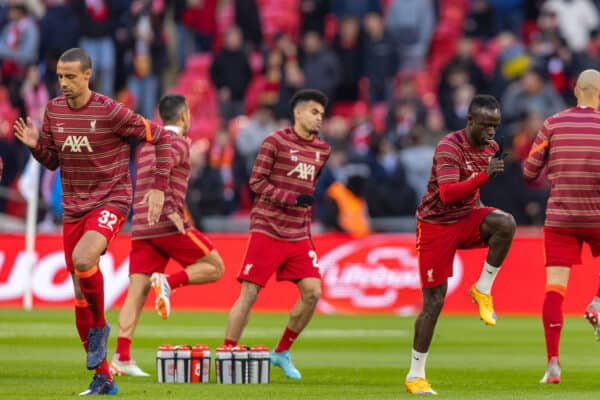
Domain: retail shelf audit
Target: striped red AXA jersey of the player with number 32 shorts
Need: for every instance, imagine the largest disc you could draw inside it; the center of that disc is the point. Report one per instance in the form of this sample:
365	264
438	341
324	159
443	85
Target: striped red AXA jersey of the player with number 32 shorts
90	145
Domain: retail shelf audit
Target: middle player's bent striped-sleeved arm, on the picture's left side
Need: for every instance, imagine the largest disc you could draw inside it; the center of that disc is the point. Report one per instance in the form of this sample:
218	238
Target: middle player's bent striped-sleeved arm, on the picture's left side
259	178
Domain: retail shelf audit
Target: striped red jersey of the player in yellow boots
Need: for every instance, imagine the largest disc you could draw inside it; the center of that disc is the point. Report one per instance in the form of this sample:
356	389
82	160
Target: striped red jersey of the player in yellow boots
454	160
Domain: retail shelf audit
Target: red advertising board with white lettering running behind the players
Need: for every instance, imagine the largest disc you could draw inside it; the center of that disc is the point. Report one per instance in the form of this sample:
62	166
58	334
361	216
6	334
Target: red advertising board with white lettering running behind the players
375	274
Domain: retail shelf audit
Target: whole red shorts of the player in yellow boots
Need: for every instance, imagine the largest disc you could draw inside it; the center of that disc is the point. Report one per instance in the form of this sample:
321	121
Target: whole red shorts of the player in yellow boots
437	244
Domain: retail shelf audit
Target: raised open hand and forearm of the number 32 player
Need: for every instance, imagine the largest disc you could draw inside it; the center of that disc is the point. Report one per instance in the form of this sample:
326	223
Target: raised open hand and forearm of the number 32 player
41	145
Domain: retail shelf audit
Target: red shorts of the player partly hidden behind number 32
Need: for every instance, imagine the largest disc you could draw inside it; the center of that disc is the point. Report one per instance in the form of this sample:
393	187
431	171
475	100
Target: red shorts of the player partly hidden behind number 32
152	255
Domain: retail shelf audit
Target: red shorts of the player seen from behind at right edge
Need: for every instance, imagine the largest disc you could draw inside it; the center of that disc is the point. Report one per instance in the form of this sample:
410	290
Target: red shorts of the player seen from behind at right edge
562	246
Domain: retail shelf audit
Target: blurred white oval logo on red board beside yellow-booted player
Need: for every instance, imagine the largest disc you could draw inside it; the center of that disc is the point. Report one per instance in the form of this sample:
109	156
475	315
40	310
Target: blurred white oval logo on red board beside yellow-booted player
378	273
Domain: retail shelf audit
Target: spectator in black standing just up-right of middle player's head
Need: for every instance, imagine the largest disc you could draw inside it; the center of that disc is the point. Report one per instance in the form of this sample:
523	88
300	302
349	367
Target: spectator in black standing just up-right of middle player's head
348	48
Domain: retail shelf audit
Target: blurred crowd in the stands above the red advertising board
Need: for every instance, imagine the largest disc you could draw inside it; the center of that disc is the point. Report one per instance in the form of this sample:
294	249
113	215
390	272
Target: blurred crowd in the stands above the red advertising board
399	74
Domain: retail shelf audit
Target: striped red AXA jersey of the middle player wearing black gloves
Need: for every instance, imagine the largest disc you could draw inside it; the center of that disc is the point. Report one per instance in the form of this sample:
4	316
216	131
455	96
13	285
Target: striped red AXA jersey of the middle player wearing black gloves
285	167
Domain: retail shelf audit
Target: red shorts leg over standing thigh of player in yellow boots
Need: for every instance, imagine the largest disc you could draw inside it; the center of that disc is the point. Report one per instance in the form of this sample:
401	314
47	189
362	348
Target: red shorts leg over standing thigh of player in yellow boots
436	246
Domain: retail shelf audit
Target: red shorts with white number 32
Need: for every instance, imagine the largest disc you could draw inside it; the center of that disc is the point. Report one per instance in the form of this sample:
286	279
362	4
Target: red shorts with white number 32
104	220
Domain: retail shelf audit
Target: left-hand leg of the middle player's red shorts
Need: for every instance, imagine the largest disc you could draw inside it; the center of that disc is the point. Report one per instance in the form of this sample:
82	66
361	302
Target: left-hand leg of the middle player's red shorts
262	258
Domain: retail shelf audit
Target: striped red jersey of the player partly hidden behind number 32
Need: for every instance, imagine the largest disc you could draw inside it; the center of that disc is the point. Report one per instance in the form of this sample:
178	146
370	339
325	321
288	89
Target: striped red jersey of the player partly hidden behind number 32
145	166
